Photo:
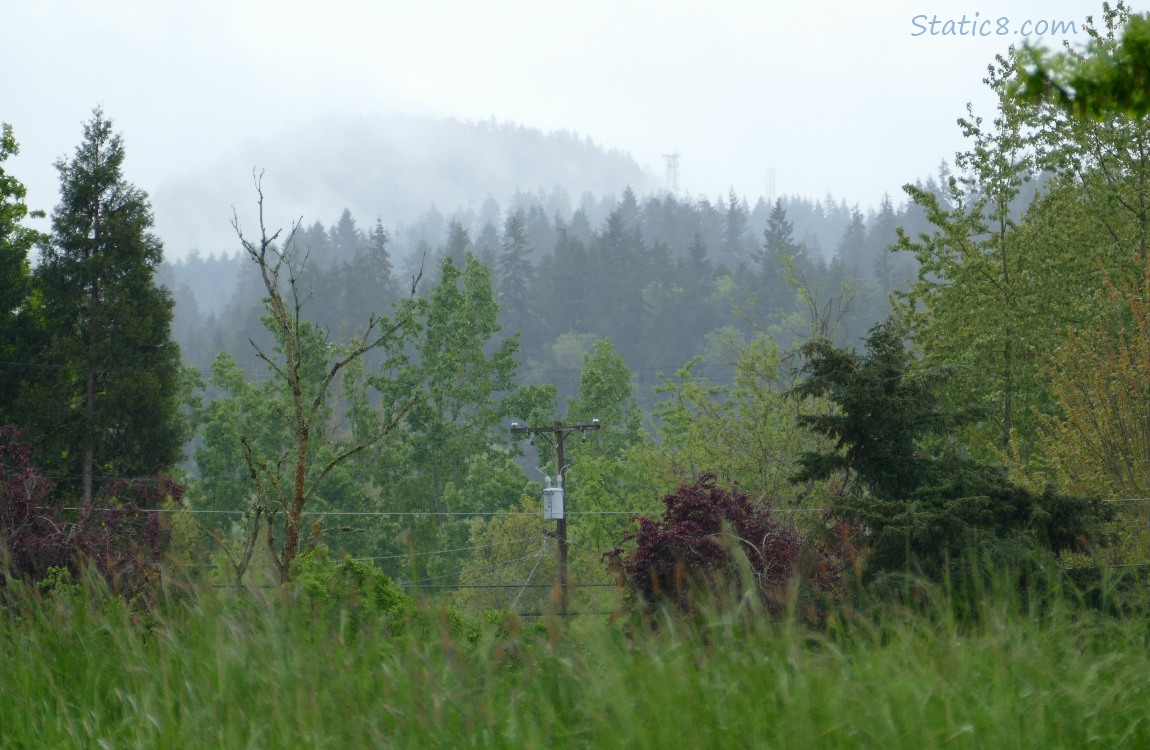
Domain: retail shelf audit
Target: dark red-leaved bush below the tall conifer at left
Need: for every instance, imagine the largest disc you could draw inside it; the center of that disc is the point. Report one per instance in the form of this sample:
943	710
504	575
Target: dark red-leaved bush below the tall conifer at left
117	532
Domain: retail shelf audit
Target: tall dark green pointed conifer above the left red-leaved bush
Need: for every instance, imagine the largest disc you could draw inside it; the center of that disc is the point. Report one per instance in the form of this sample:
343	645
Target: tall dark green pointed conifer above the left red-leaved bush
109	403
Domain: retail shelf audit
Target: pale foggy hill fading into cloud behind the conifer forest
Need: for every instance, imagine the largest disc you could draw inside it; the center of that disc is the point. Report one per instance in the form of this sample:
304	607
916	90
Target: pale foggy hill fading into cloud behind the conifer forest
390	169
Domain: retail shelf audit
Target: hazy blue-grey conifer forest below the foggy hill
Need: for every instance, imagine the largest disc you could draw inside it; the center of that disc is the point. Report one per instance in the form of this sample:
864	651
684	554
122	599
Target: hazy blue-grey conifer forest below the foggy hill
664	278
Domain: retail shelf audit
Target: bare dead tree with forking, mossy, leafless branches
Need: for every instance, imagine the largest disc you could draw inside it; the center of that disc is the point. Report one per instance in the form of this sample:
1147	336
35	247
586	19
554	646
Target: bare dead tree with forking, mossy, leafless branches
285	304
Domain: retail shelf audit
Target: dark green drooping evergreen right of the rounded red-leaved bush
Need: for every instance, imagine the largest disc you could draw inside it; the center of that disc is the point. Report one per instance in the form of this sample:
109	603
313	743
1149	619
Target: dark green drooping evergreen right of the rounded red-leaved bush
921	500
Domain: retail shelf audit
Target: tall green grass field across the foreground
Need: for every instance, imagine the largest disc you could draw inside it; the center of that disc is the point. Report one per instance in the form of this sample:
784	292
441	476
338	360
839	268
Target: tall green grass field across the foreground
206	671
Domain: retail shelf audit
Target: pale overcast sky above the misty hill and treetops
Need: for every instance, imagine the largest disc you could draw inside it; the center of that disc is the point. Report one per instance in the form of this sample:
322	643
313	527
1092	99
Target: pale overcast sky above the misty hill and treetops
844	97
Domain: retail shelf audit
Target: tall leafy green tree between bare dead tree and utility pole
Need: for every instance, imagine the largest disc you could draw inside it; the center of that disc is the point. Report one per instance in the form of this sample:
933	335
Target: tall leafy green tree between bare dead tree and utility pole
463	389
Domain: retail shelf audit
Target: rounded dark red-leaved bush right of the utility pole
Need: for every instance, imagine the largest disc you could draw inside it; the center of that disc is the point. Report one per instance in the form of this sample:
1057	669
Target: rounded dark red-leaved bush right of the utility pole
688	555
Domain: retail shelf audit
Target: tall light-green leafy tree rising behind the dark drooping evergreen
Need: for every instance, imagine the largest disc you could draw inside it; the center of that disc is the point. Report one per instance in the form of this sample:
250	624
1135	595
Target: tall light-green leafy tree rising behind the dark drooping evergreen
980	304
